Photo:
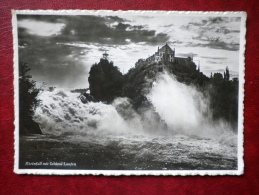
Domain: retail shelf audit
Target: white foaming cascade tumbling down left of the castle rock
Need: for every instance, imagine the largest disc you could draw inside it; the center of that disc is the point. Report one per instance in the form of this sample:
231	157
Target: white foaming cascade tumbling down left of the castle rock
62	112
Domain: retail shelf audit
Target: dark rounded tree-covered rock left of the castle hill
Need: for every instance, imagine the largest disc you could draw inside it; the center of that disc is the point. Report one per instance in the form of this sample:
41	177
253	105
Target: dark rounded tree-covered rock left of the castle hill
105	81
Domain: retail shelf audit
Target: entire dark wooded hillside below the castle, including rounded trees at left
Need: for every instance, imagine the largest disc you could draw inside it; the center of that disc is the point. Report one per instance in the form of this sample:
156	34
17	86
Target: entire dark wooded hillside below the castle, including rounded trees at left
221	94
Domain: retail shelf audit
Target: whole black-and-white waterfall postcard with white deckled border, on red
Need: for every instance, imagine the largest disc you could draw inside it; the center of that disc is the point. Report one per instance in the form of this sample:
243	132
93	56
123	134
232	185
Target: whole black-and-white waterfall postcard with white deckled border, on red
129	92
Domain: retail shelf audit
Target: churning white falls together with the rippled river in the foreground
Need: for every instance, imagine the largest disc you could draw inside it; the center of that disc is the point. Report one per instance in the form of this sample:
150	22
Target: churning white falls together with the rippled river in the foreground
115	136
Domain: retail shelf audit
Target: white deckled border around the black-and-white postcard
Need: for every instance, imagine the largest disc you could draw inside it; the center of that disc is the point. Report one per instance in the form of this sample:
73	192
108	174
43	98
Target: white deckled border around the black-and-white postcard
240	146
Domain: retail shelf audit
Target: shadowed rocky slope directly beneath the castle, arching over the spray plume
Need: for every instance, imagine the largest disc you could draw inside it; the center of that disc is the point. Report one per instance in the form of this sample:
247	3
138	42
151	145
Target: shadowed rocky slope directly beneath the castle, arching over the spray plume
139	80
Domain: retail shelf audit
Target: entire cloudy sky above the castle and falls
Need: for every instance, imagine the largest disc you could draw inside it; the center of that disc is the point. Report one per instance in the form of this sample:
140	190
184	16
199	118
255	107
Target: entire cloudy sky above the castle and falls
60	49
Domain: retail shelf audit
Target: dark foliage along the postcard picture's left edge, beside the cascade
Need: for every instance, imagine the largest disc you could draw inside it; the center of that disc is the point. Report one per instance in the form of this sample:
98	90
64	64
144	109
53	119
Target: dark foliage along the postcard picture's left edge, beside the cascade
27	102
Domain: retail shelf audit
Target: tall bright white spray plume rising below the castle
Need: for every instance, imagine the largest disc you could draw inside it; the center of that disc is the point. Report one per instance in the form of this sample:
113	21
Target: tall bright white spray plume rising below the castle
183	108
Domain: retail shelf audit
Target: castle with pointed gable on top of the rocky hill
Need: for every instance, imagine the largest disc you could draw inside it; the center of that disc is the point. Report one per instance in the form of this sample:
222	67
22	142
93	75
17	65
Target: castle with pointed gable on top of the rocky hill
167	54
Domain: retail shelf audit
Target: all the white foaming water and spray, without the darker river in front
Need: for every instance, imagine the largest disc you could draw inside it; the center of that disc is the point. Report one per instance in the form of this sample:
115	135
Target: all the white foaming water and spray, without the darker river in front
182	108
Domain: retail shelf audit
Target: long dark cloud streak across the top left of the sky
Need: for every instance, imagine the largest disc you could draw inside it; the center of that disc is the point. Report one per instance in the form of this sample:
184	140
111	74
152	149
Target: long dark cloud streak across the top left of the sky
109	29
